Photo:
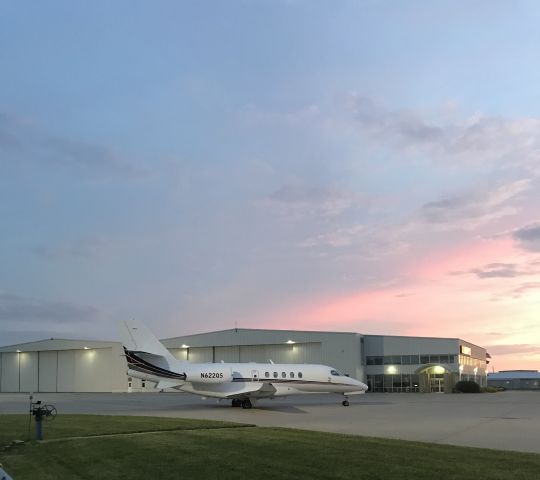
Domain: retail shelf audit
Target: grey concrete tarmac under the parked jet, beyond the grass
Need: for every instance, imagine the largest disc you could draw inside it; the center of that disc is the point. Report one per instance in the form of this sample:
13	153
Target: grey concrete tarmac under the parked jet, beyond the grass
506	420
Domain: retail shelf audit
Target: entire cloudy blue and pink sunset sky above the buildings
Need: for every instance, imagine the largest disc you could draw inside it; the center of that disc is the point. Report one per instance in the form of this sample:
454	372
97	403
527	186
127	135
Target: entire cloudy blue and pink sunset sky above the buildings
366	166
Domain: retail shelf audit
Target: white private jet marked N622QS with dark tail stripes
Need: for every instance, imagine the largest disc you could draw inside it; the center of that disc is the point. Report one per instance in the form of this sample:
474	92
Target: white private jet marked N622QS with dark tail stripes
243	383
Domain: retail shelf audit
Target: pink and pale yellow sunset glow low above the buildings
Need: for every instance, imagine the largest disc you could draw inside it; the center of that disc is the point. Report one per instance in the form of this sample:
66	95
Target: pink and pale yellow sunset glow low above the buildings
433	303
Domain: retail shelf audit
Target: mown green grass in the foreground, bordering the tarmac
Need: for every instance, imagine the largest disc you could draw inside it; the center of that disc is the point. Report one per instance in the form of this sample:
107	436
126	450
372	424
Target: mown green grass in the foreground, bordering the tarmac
211	452
